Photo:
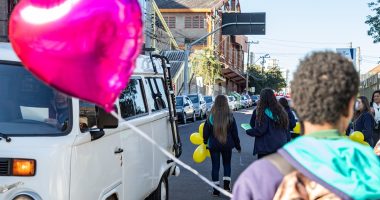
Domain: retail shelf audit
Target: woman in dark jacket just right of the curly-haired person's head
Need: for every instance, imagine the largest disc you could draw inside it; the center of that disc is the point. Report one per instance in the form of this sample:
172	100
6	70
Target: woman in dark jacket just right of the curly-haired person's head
363	120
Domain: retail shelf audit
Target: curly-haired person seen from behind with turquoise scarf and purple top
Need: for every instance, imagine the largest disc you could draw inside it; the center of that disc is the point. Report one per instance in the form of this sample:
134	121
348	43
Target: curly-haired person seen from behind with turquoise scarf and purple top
321	164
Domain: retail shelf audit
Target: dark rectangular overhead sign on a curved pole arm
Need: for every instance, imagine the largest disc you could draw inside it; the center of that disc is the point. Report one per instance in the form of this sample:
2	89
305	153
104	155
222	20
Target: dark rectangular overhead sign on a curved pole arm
257	26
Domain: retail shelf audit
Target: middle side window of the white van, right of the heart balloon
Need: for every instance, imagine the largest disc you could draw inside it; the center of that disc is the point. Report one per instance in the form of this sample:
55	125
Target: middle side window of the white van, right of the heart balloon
131	100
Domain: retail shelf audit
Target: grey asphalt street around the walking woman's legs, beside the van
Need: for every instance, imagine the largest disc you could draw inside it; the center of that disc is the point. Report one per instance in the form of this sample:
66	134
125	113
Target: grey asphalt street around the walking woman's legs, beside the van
189	186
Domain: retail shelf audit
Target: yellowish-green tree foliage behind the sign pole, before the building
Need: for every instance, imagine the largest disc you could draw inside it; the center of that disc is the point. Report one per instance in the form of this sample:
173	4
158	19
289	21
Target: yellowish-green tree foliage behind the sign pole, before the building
206	65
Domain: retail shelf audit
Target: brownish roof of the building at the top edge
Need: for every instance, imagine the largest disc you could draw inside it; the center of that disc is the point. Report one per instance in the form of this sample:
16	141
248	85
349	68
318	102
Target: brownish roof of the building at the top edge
187	4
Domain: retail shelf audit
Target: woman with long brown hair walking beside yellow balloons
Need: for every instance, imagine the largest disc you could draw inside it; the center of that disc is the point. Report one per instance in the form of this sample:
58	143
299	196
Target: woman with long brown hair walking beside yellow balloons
220	135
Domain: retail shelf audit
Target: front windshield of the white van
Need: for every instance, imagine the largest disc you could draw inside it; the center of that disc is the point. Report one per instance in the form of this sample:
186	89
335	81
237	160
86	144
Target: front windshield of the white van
30	108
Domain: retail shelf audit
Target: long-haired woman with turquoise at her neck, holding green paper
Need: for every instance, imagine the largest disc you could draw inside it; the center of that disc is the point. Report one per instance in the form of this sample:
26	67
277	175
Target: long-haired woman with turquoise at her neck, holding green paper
269	124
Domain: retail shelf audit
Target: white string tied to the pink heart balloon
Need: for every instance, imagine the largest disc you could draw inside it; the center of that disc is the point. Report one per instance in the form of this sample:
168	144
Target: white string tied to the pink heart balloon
171	156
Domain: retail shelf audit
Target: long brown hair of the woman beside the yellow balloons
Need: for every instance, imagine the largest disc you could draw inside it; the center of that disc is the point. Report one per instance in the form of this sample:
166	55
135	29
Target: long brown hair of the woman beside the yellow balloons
221	118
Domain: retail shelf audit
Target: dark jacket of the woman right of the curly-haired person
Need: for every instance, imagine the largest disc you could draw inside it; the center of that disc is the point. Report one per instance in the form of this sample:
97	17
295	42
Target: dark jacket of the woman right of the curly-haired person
365	124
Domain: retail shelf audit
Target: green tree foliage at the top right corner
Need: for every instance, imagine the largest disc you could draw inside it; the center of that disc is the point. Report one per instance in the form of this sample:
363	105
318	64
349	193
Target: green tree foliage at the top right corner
374	21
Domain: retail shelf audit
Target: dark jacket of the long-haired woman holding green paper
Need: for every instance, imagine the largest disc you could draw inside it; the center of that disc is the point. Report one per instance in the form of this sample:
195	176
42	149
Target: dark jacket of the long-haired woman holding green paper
268	137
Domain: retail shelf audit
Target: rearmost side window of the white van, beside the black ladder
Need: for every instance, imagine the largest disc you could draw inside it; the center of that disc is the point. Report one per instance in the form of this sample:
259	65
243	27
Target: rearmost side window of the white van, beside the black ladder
156	94
